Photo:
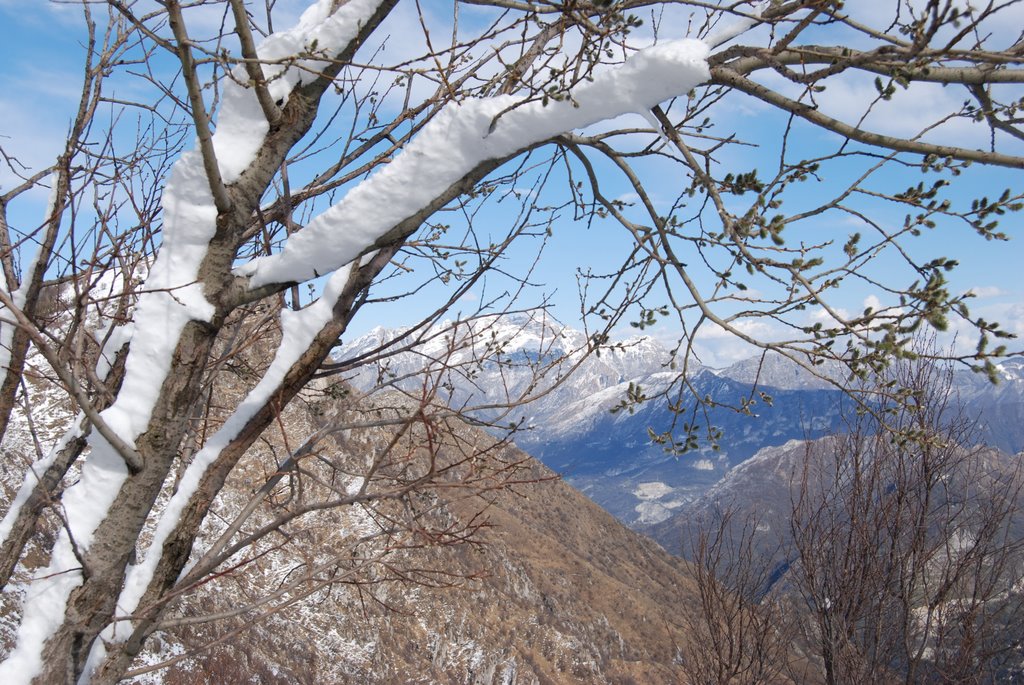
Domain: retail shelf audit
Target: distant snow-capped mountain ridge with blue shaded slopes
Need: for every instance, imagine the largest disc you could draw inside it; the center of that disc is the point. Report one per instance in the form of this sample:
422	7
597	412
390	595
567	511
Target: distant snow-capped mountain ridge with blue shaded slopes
612	457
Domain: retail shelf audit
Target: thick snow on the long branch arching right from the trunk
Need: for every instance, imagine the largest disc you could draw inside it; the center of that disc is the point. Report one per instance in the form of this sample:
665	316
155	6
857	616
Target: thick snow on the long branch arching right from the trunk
461	138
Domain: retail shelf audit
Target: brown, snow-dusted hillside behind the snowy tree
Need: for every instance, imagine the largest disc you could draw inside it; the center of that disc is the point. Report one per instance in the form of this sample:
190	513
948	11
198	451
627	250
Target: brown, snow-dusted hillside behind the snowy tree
499	574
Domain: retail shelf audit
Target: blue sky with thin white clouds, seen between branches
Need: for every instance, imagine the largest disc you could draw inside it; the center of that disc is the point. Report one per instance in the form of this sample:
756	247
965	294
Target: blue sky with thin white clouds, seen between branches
38	92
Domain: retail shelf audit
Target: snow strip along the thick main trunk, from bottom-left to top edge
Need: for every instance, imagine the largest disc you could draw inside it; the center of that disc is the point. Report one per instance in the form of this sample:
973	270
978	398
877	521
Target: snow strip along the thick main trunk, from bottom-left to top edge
173	299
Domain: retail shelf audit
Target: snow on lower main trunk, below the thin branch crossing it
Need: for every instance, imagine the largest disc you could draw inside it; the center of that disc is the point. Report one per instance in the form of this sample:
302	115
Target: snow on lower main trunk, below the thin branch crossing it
172	301
